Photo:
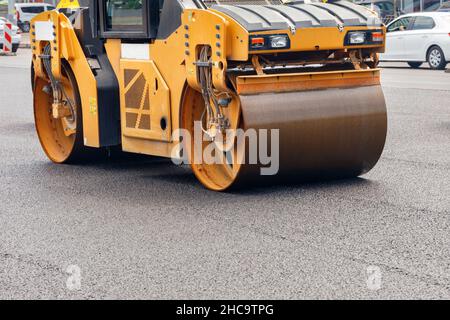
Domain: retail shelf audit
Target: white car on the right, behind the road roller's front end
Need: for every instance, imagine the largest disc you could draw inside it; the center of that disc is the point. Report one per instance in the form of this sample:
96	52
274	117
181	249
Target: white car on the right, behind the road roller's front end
419	37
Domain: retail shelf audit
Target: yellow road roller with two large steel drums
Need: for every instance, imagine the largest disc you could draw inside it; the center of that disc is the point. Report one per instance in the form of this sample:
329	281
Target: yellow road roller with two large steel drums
171	78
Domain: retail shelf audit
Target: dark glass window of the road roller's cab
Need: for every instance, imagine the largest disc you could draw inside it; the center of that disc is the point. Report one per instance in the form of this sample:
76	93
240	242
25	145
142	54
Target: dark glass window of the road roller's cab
124	15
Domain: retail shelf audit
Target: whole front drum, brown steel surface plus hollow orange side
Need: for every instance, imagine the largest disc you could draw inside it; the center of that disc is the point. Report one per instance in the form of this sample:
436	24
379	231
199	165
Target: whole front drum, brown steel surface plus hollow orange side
323	133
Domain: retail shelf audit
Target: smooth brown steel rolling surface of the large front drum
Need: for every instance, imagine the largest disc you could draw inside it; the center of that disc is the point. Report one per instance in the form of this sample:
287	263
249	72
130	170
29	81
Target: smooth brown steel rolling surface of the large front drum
330	133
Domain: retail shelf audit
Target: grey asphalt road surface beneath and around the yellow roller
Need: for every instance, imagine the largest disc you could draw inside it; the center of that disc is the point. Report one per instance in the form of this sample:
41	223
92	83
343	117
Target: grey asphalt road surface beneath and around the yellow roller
148	229
